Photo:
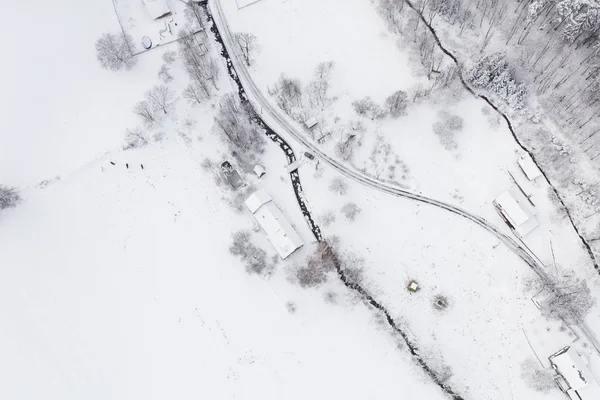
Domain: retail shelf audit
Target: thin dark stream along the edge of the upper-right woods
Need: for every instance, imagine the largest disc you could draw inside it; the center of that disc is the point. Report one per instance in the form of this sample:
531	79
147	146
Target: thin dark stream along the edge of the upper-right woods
508	123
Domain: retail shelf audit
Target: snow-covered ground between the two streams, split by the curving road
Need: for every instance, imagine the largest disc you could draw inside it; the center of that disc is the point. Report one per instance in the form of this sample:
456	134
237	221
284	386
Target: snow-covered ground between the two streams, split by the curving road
489	286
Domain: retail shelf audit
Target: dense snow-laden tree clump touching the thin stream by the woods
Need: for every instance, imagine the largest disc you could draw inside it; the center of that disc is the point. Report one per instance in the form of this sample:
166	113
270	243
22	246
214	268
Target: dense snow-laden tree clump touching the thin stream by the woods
493	73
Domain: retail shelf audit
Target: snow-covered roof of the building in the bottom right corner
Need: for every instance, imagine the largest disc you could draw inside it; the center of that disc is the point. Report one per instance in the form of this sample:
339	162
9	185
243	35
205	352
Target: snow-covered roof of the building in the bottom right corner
574	370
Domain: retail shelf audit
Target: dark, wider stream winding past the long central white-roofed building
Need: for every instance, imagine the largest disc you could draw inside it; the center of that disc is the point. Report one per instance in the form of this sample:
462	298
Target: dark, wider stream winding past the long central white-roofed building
412	347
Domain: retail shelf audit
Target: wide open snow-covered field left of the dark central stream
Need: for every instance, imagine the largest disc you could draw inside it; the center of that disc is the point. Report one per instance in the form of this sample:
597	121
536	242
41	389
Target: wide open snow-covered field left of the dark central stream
117	282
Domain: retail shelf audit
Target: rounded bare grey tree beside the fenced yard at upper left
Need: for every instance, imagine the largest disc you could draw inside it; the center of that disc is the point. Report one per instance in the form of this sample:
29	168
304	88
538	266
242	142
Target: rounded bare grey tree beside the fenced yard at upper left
114	51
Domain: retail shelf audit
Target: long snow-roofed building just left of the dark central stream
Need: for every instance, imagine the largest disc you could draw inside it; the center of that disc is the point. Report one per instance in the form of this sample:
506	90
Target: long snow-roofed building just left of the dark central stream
279	231
